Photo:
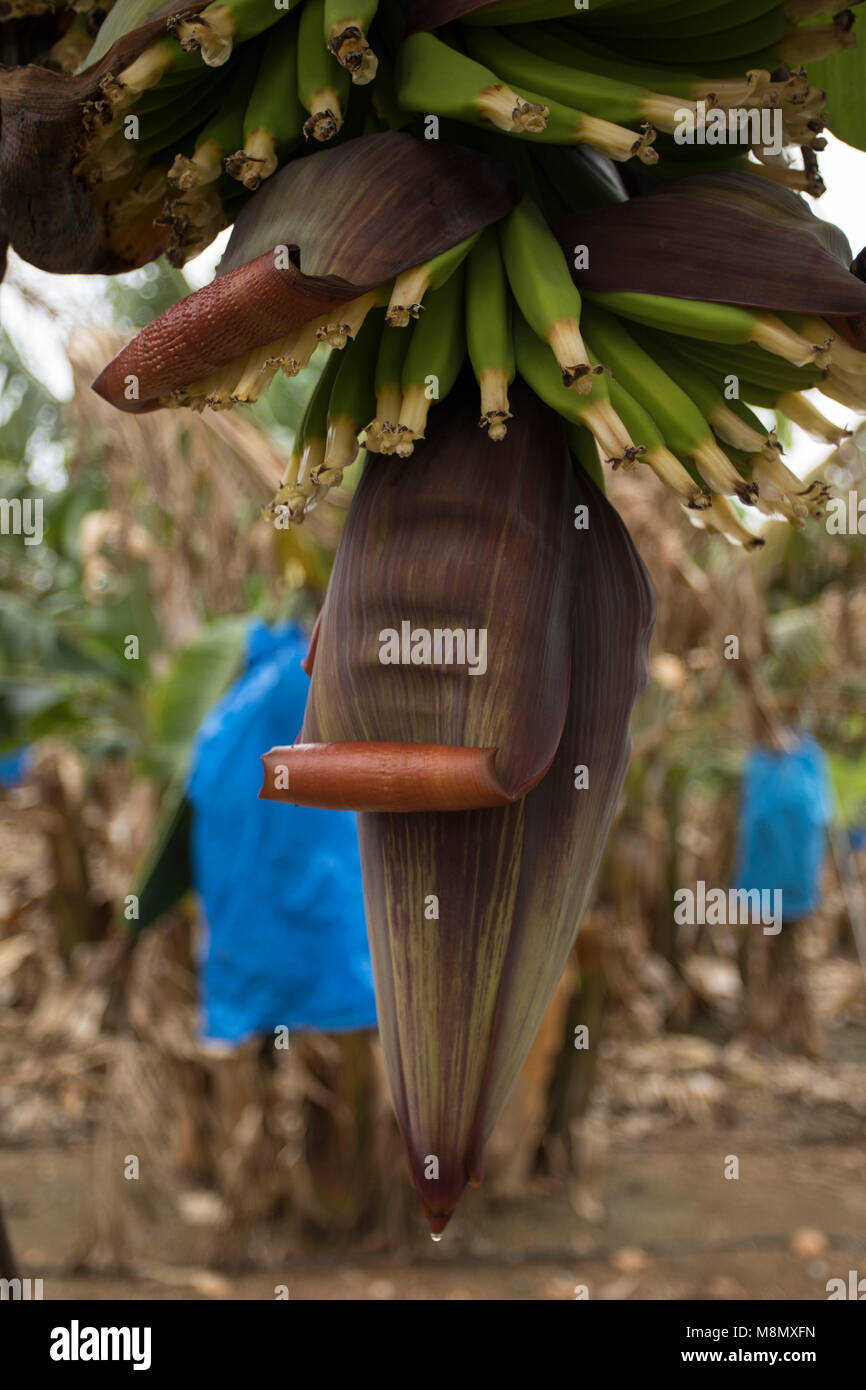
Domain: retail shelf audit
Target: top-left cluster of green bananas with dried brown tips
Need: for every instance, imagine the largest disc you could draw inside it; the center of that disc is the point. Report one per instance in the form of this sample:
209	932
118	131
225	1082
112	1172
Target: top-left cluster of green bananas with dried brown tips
212	109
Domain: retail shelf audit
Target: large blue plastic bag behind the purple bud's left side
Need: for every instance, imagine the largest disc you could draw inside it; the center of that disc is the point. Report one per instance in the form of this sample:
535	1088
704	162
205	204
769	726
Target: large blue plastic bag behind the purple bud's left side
280	886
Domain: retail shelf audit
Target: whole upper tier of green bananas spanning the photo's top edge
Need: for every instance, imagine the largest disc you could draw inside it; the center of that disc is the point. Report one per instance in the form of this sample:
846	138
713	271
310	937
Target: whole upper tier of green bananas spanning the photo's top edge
233	92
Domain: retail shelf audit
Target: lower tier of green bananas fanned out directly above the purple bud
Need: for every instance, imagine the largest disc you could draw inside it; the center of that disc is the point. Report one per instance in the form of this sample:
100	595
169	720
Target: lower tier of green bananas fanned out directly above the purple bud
673	384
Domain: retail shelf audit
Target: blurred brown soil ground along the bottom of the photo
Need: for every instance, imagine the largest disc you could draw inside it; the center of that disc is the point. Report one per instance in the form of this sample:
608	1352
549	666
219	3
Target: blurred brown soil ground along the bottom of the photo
675	1228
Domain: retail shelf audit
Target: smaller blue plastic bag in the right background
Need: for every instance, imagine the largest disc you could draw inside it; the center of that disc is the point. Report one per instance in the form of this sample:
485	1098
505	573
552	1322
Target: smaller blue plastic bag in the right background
786	807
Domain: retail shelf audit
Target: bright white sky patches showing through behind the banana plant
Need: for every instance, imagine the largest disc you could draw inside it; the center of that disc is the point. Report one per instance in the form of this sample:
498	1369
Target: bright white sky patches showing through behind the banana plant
81	300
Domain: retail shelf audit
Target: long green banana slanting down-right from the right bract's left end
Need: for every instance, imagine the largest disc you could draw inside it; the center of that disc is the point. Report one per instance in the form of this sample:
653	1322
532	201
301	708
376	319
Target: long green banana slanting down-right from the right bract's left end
685	429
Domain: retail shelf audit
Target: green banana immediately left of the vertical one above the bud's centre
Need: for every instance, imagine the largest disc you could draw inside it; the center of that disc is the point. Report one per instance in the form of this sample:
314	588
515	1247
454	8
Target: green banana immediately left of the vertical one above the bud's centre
434	358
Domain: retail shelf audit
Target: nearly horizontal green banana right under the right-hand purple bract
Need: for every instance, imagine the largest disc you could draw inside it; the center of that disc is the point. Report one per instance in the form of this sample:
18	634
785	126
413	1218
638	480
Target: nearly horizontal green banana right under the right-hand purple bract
711	322
